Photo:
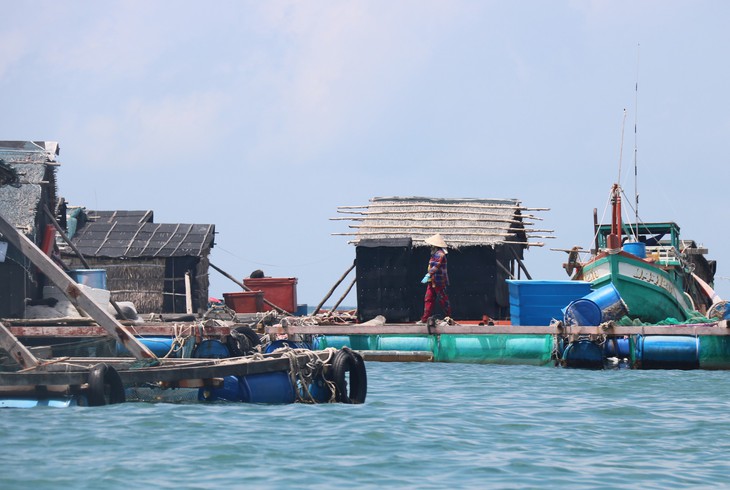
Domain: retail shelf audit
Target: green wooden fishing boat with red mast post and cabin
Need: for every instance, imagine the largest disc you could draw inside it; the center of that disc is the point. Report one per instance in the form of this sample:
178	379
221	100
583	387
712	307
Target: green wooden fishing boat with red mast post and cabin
652	269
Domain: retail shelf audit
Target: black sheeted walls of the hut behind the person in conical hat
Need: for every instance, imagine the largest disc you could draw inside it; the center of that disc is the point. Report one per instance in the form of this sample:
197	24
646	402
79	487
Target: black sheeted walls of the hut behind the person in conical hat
389	283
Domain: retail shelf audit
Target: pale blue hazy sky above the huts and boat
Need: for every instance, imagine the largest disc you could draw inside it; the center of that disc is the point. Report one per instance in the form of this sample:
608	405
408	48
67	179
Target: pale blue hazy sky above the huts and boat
264	117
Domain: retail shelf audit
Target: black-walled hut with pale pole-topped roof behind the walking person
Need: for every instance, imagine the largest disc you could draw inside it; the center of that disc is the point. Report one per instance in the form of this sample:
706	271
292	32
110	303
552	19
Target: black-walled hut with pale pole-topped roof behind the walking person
486	237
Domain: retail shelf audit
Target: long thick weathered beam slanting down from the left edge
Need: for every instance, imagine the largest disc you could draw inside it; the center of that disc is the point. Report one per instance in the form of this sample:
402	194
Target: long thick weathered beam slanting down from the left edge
75	294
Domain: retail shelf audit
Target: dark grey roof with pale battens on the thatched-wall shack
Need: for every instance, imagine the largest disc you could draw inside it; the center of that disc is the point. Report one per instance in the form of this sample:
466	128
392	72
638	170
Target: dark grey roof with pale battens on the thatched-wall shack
118	234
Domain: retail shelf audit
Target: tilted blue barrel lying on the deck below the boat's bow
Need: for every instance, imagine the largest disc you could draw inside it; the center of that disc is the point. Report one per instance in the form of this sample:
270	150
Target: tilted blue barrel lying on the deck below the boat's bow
600	306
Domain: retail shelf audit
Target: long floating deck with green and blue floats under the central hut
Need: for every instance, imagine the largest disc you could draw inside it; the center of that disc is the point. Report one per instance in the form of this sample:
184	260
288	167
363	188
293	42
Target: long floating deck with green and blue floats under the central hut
688	346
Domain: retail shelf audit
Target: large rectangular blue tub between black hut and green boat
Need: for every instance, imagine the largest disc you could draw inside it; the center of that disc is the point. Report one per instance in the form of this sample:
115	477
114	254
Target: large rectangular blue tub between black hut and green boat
538	302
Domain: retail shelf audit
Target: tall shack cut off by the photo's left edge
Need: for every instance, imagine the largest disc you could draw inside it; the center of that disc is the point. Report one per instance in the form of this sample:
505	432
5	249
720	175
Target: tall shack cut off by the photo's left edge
27	187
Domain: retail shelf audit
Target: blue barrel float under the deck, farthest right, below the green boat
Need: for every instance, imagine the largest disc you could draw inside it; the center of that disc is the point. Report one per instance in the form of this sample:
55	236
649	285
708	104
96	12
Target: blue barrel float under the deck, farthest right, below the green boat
668	352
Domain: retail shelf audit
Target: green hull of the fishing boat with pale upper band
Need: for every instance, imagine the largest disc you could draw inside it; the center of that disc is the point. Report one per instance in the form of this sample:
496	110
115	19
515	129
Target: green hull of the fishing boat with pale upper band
651	293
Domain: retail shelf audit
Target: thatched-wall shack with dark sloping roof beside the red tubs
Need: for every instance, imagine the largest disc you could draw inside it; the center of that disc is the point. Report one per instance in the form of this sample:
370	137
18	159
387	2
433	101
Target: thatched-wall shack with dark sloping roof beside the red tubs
154	265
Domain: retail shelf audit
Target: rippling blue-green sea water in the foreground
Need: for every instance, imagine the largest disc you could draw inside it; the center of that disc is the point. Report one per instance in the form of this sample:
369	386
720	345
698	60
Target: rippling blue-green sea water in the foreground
423	426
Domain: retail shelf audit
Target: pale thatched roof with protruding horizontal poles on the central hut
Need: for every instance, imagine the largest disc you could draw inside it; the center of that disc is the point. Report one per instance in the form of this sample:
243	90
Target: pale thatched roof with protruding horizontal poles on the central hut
461	221
